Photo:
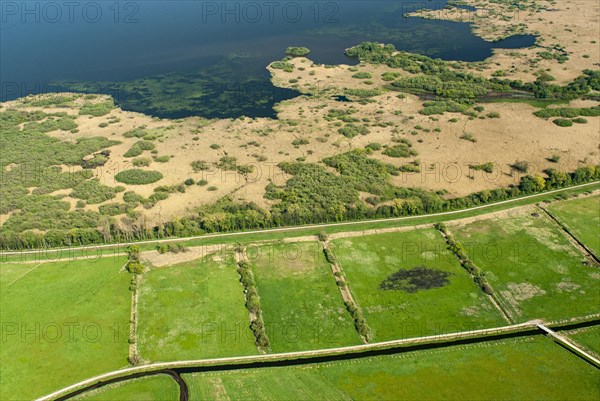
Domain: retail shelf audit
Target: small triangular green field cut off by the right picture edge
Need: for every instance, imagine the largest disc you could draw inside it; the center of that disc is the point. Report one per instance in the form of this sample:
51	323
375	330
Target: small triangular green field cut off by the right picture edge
582	218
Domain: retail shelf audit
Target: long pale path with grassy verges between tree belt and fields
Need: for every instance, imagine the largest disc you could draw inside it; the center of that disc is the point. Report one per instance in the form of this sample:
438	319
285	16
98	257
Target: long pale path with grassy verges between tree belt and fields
305	227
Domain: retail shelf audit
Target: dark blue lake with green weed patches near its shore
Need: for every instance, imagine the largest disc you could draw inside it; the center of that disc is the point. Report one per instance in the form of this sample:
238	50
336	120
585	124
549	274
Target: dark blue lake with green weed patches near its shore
183	58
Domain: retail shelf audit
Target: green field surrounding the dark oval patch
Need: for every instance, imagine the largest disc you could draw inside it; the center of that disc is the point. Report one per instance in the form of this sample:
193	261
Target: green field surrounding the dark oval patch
392	314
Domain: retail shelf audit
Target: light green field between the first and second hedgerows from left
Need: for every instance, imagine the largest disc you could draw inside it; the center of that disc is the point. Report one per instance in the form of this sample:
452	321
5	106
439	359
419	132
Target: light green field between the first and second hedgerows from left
193	310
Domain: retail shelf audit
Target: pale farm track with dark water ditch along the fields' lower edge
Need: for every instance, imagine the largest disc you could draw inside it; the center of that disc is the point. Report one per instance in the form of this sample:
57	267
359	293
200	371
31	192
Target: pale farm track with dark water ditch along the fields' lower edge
531	327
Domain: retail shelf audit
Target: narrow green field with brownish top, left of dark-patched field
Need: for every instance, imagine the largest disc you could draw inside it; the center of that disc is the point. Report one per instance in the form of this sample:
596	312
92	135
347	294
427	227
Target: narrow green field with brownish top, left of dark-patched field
301	304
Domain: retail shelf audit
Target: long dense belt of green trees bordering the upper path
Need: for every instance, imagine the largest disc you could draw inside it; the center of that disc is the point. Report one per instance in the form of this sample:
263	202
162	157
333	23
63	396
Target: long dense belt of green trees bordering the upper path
313	207
